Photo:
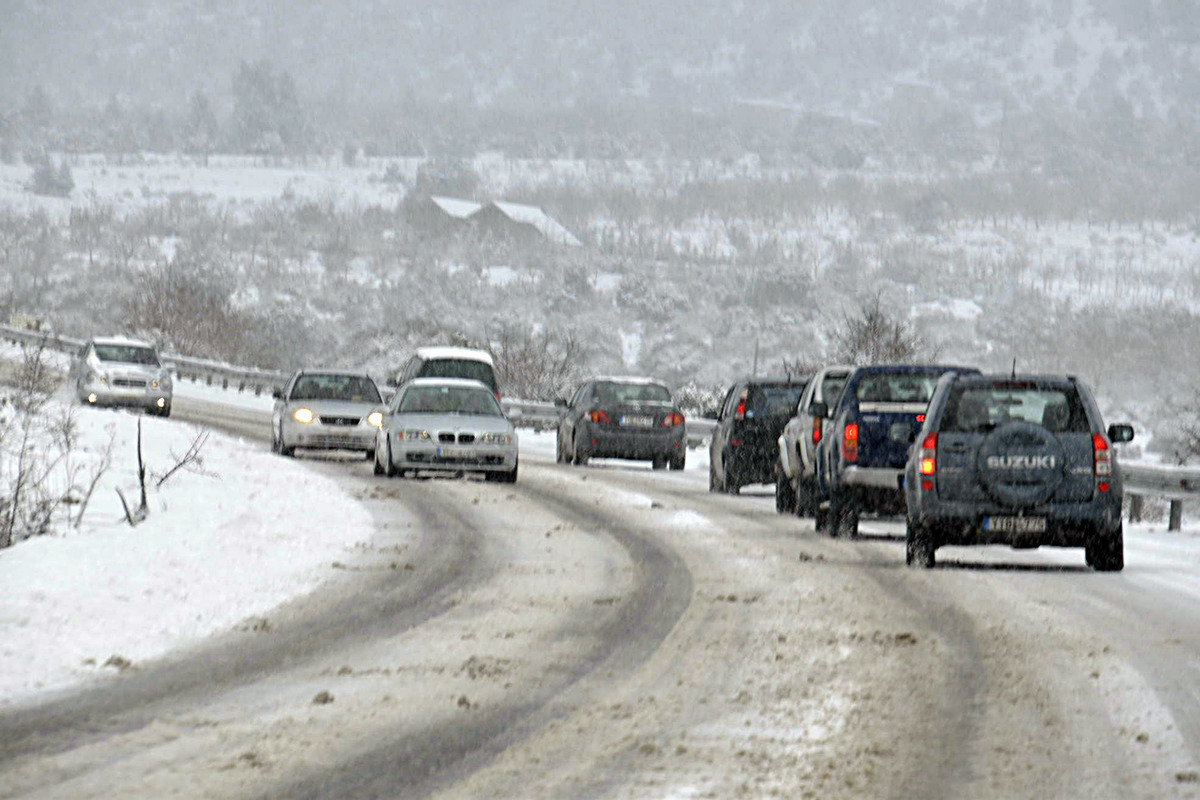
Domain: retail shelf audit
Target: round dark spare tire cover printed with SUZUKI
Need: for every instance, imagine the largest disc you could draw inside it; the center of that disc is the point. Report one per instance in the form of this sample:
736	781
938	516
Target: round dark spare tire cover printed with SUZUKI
1022	465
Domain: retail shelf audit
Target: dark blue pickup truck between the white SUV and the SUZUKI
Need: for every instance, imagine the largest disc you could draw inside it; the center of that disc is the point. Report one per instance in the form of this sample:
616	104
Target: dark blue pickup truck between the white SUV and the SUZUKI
871	429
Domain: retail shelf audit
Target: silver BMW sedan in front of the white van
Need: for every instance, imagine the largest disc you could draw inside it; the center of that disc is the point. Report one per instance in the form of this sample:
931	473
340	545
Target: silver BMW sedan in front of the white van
447	425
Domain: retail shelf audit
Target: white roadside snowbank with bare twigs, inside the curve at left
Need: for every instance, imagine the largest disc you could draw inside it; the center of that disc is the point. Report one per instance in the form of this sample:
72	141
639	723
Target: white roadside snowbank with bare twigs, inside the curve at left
232	542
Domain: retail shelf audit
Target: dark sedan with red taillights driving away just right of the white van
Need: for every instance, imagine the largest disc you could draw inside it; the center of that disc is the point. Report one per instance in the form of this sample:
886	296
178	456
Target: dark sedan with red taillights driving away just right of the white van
622	418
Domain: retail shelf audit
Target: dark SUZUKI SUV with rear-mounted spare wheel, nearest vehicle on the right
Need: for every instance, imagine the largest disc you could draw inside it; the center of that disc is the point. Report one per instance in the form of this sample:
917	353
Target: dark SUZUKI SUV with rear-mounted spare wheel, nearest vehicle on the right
1016	460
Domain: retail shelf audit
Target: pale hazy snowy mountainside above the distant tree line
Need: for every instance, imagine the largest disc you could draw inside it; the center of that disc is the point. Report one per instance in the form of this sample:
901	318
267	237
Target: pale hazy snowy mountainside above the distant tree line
833	57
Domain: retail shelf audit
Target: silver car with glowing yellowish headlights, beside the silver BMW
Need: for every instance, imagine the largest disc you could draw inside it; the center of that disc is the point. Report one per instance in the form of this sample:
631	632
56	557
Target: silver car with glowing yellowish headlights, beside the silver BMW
327	410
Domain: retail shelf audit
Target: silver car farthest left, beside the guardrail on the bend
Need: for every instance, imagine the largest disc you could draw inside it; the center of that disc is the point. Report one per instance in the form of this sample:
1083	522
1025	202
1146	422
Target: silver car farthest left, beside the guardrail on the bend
119	371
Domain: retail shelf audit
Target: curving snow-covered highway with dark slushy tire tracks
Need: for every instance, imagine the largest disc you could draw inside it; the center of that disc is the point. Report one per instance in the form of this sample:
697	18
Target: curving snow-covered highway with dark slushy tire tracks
619	633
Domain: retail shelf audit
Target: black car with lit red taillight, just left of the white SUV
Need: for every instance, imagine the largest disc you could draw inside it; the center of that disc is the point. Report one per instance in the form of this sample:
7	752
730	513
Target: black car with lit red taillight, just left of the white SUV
746	442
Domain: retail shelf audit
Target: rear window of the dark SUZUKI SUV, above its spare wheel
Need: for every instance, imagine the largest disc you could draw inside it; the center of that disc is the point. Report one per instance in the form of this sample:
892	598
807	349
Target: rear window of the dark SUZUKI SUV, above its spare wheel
971	410
